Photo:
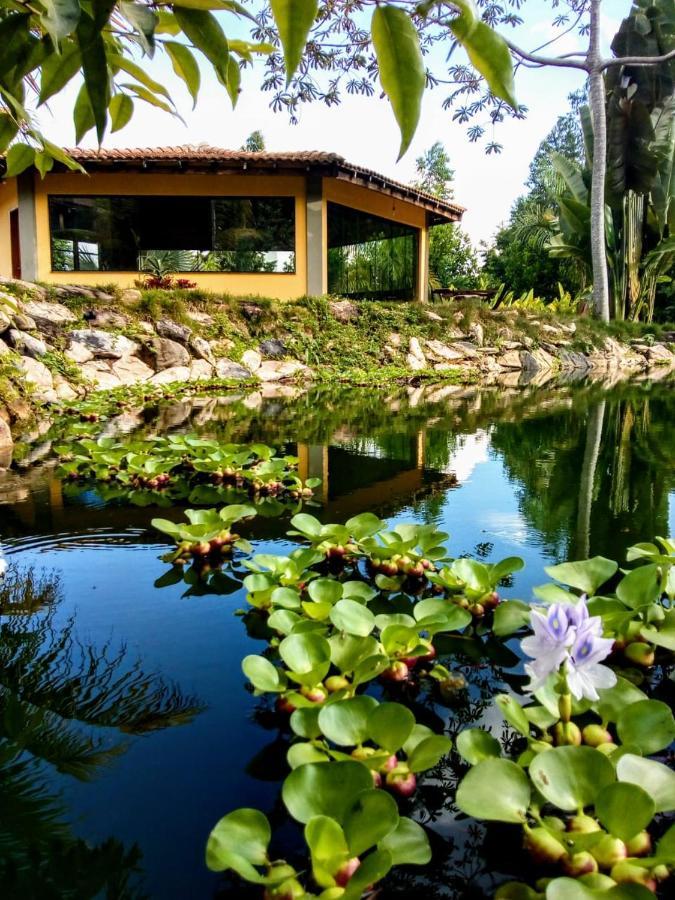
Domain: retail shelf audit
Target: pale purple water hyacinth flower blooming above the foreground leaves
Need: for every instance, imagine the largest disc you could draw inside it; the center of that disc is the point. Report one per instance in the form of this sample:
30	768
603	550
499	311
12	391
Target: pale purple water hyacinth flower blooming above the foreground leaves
566	635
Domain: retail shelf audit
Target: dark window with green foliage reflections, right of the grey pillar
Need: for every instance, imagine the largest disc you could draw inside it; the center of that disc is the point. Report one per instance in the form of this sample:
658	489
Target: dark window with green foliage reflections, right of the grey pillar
369	256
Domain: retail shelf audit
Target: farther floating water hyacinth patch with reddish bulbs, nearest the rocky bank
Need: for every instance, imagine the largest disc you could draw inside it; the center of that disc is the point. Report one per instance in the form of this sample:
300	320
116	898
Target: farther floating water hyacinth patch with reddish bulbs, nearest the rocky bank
182	466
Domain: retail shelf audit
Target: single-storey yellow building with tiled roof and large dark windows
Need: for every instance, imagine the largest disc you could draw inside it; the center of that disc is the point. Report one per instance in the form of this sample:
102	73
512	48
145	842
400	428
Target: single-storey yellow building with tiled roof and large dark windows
277	225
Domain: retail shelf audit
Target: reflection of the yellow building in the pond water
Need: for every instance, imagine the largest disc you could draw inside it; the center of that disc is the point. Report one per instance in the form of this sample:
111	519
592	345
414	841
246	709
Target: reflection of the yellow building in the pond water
360	474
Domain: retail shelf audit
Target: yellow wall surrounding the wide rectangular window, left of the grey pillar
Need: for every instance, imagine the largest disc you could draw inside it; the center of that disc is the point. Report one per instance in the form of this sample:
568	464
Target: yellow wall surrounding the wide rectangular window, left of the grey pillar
283	286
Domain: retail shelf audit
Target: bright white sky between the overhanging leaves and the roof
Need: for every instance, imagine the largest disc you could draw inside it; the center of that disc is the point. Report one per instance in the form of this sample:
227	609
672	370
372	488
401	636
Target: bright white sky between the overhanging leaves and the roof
363	130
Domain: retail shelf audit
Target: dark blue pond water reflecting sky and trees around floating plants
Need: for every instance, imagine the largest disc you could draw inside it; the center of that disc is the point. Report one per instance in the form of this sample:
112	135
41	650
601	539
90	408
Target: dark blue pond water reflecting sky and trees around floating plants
143	676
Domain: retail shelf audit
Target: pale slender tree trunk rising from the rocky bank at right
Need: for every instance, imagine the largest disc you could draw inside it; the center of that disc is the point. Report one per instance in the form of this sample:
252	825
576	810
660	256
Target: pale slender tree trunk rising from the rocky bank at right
596	95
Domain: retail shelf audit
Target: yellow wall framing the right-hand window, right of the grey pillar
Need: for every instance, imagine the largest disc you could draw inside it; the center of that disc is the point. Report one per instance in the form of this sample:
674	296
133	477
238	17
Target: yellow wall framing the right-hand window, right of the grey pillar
338	191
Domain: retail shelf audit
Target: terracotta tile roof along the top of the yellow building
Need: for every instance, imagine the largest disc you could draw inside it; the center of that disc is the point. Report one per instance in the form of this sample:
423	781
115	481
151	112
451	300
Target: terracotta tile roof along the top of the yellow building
306	159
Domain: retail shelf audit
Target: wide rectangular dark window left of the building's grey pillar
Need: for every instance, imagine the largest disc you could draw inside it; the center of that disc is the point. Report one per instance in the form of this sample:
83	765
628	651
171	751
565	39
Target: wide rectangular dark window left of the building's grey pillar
173	234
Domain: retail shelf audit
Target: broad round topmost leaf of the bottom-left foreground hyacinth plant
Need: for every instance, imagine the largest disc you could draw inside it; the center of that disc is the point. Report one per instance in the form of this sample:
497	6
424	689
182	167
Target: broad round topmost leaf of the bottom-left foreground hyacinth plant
320	789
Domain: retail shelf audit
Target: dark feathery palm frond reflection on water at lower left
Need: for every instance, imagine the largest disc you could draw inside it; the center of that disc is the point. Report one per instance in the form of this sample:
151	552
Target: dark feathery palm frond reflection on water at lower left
66	707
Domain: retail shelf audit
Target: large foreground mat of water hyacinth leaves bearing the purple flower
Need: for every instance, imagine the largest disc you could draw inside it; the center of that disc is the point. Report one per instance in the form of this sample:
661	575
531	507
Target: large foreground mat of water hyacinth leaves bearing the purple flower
359	610
